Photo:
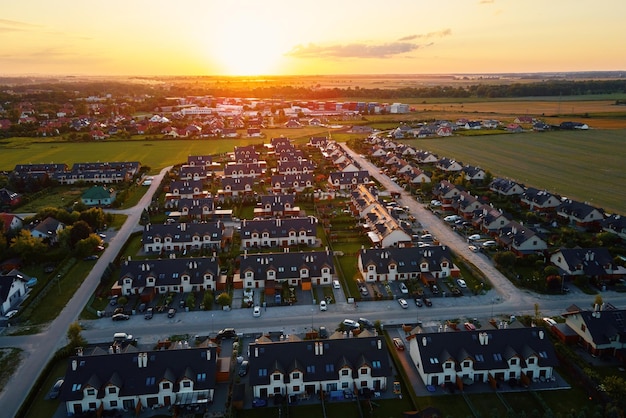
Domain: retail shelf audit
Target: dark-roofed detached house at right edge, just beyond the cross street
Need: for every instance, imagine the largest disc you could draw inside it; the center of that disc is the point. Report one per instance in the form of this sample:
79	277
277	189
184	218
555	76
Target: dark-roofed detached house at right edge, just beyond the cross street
595	263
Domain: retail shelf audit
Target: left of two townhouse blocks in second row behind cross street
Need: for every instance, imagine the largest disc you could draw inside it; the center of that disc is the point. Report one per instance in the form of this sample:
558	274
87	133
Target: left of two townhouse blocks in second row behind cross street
158	238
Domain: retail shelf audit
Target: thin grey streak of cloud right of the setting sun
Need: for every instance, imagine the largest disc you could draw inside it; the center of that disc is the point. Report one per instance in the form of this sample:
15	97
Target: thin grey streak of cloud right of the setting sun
367	50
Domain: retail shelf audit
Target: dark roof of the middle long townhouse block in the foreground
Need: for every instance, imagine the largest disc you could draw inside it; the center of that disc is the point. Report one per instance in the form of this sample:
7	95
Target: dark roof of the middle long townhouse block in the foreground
317	360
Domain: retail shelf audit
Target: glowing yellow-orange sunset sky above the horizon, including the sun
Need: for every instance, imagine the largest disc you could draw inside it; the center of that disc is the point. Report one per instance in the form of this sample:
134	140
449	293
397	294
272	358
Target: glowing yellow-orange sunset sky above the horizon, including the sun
250	37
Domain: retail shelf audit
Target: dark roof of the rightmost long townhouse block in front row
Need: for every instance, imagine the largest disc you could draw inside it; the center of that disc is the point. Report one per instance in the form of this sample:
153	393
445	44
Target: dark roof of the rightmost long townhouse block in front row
500	346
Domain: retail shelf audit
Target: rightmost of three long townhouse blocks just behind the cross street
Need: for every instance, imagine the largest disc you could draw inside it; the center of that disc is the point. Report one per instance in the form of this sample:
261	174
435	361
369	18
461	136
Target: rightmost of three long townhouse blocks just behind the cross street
391	264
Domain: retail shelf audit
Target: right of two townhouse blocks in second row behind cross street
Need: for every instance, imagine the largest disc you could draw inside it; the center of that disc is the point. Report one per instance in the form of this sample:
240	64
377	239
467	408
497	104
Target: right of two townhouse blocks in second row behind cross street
279	232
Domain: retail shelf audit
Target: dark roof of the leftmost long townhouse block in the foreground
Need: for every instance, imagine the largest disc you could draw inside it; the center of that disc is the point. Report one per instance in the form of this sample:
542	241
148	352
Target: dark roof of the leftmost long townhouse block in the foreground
123	370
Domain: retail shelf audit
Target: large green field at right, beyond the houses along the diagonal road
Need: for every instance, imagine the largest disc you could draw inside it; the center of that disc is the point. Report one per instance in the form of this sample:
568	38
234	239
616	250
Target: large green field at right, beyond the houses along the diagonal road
583	165
